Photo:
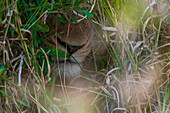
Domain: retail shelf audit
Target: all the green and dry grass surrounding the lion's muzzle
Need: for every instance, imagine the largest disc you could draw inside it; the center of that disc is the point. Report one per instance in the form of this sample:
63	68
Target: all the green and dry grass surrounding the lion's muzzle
134	37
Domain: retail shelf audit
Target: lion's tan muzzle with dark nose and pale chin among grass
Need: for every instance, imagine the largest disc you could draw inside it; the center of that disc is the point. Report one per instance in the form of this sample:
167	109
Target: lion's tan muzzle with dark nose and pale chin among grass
76	39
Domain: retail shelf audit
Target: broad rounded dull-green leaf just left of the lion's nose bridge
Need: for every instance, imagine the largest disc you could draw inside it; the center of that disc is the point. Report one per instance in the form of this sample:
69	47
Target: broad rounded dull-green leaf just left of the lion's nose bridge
42	27
